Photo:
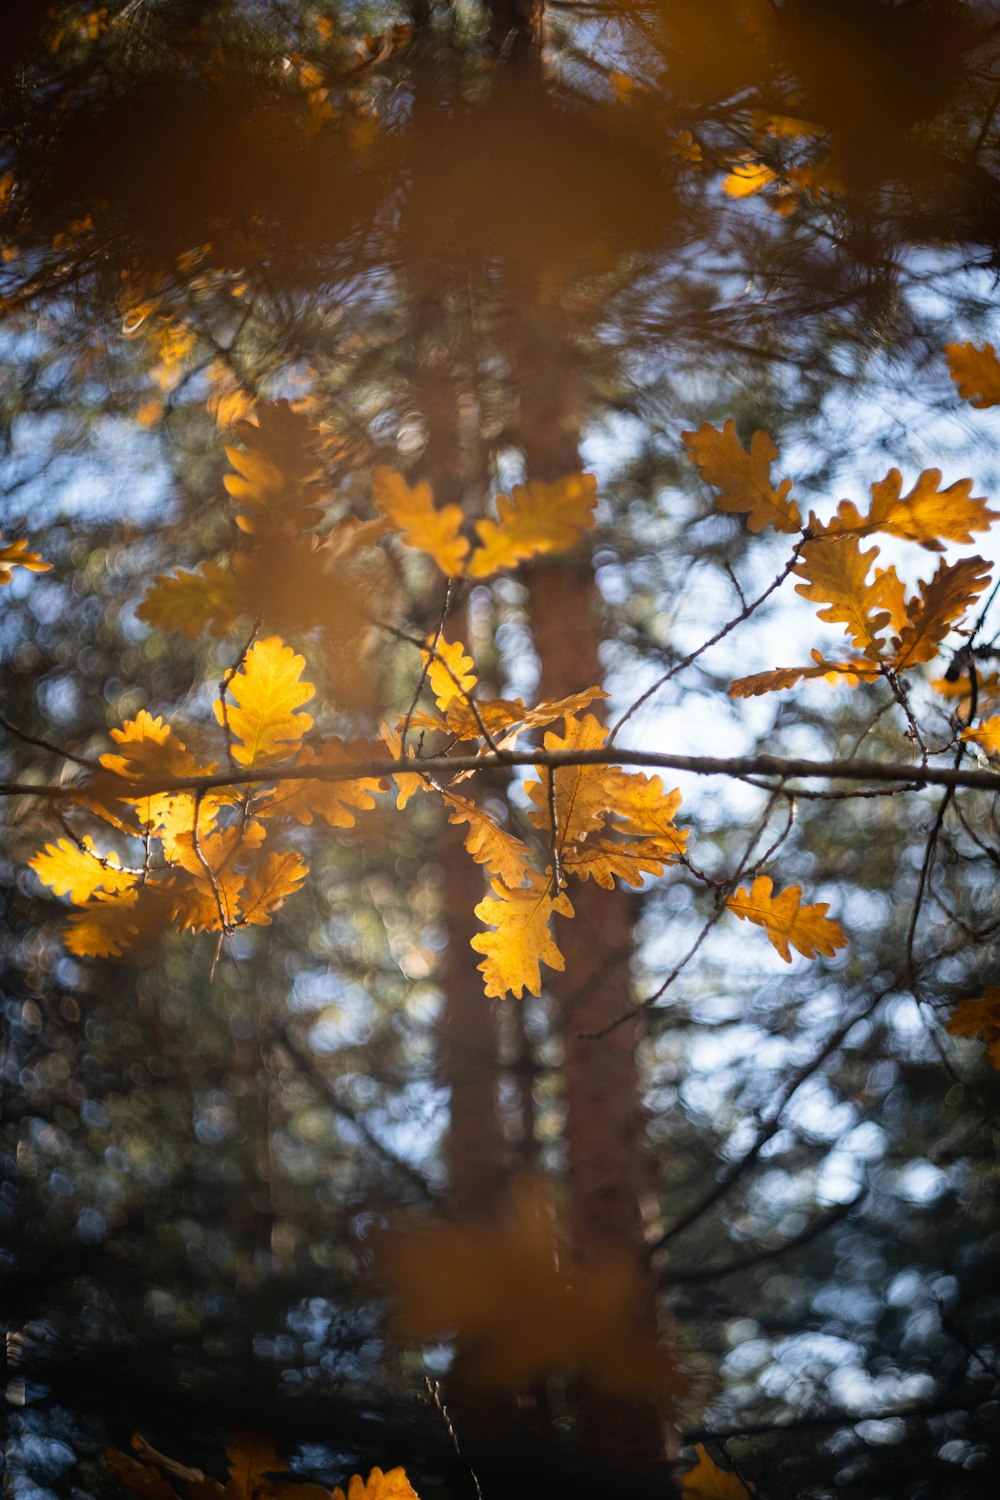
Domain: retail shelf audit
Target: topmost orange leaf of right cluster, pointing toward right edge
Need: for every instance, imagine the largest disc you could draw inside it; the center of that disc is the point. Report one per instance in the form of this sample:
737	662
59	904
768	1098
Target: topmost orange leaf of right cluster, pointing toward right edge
927	515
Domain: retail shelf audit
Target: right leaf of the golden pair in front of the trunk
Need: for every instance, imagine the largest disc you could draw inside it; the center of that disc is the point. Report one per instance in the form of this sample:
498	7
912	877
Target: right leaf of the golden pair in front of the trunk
537	518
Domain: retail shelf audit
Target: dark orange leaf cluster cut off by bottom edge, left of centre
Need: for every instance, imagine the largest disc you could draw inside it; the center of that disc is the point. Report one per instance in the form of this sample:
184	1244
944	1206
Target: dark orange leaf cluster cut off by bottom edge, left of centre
253	1466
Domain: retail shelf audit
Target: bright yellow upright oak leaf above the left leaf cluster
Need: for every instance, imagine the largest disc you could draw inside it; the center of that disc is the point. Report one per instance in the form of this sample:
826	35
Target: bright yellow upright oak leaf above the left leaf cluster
265	725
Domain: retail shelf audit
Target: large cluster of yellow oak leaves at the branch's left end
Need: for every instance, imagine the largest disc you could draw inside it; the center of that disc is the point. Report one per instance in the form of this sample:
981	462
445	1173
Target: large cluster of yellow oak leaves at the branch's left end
205	862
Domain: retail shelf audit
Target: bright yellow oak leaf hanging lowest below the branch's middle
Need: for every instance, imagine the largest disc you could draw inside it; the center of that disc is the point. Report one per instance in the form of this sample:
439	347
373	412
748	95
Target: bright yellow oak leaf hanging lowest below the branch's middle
522	940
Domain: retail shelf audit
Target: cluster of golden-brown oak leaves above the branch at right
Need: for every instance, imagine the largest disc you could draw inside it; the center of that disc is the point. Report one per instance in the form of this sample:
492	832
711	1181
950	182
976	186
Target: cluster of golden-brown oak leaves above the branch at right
888	631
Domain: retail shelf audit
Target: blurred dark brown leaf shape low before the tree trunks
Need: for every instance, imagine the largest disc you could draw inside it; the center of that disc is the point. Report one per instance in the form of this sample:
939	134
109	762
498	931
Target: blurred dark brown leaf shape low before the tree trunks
521	1304
